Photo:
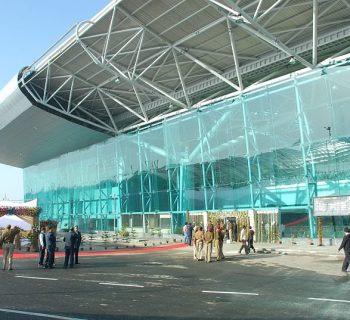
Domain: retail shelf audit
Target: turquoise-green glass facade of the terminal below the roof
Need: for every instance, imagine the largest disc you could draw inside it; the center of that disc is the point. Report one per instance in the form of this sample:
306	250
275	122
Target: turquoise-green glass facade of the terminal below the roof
278	146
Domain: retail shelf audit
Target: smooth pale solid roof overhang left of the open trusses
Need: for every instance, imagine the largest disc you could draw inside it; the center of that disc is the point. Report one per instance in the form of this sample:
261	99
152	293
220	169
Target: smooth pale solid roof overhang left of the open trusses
30	135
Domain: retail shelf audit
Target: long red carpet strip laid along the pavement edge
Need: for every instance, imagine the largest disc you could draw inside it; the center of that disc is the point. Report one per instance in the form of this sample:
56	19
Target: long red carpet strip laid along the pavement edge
34	255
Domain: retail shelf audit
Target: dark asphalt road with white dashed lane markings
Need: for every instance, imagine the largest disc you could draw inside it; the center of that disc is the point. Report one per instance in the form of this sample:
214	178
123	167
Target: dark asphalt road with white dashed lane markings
171	285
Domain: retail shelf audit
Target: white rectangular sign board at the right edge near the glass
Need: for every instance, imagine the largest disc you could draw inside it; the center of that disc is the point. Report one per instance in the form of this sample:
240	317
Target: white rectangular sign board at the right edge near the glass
332	206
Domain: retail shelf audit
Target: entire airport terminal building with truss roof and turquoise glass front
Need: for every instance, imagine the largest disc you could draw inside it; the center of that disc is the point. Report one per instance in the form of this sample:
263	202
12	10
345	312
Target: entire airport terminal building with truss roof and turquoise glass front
156	112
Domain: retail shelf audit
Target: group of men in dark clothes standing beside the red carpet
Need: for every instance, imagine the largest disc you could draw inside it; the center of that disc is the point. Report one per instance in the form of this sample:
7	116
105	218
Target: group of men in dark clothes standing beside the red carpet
47	247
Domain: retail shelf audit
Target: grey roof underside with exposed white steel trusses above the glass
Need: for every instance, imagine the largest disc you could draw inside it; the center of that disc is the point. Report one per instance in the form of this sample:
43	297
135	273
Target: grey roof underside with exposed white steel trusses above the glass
139	61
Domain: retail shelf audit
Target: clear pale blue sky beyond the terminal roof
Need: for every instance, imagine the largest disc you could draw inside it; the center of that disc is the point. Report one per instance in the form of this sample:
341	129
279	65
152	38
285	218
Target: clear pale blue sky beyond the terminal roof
27	29
